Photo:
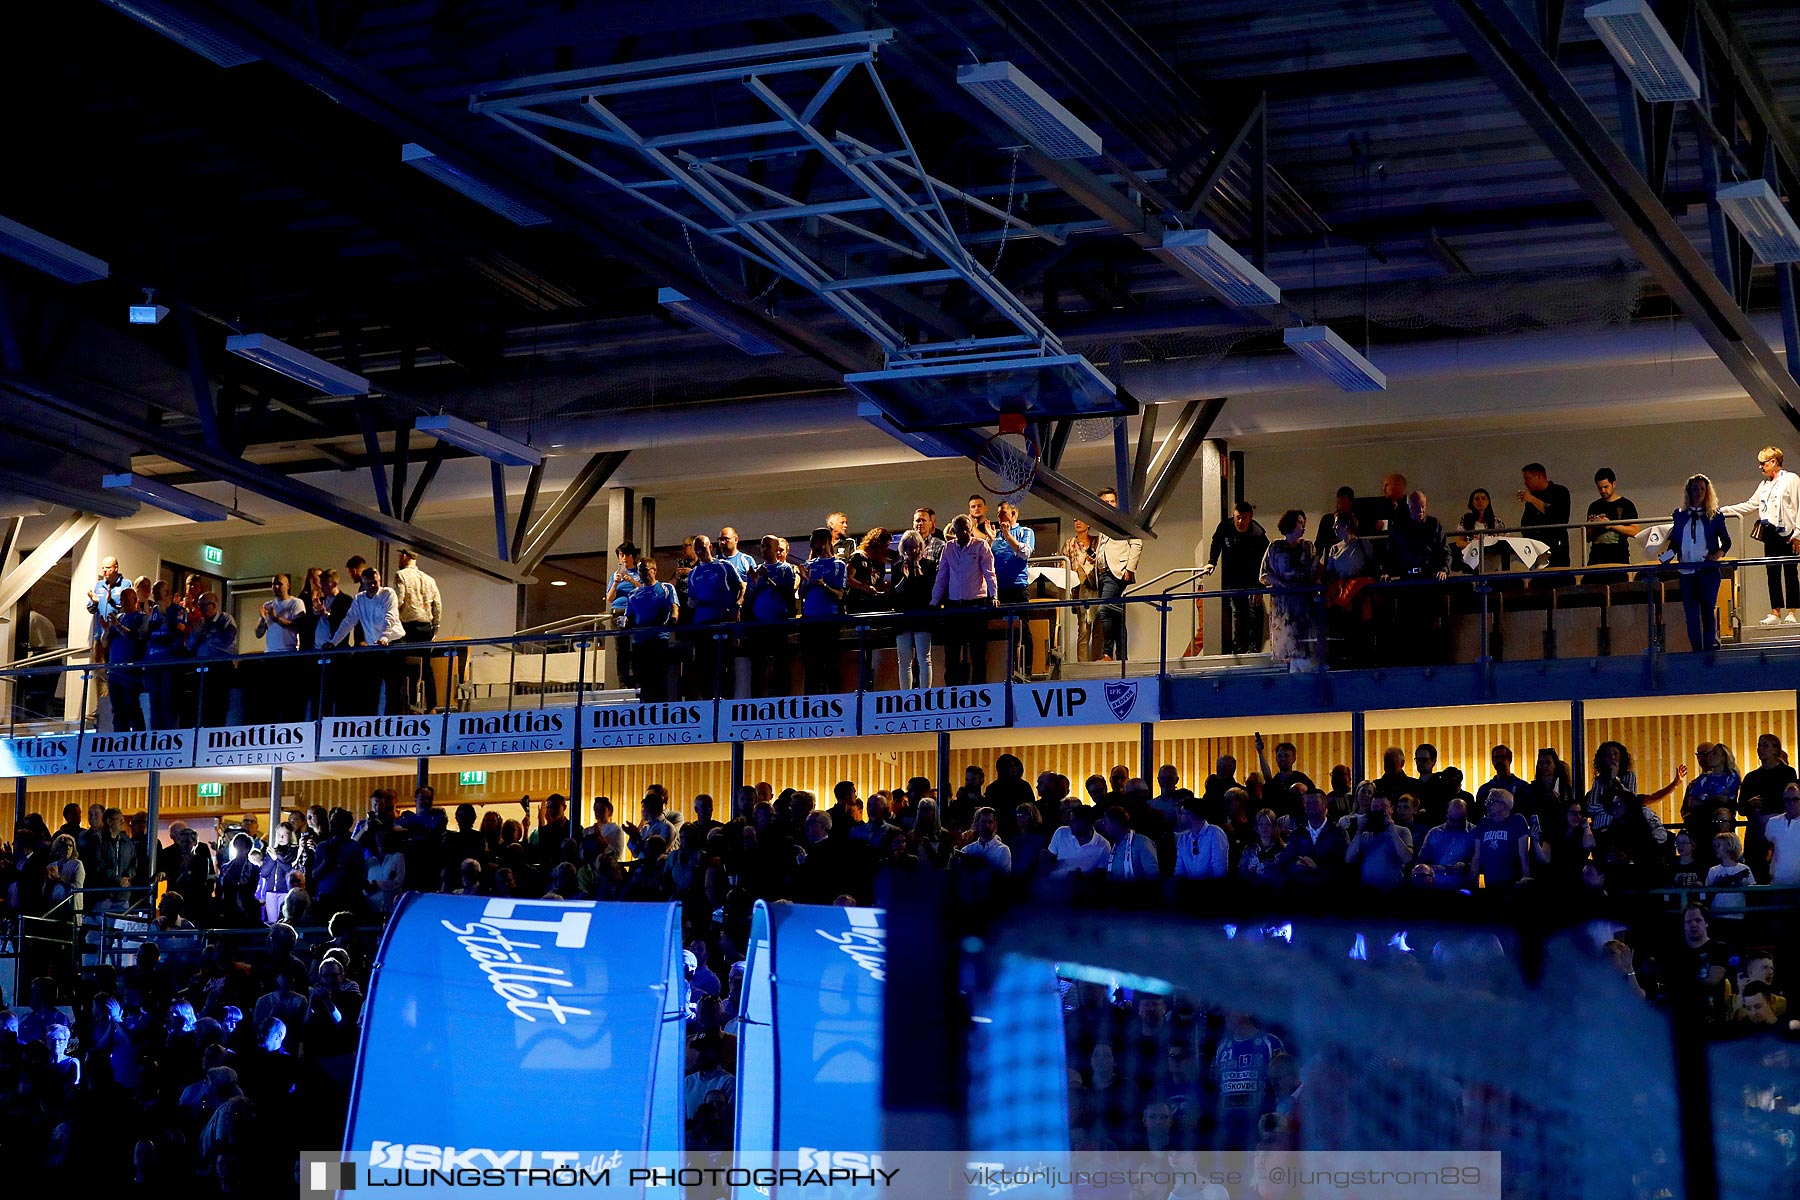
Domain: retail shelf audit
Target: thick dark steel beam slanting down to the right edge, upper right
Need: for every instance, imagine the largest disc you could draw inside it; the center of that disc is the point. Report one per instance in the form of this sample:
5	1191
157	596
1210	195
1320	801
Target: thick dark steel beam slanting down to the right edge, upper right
1527	76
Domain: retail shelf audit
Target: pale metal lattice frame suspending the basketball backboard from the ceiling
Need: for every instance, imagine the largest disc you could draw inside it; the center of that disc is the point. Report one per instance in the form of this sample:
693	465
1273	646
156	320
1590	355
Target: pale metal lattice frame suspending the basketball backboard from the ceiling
886	204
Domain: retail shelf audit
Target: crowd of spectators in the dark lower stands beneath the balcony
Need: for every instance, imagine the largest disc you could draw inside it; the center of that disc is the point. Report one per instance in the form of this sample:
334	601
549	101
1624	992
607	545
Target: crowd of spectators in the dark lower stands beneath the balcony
240	1005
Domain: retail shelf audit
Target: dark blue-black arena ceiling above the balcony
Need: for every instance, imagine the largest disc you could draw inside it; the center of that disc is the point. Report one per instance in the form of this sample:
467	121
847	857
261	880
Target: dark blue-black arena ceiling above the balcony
1430	168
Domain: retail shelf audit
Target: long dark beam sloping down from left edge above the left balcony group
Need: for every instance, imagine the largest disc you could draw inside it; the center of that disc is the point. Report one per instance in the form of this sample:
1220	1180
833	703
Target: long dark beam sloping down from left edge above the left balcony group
258	479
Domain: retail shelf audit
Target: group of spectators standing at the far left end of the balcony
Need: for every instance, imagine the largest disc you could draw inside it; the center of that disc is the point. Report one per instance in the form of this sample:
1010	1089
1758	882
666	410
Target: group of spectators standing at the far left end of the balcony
150	641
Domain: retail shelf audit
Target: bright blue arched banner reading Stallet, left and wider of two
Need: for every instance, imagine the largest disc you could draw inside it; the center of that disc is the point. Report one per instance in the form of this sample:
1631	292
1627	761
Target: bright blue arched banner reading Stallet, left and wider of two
521	1034
